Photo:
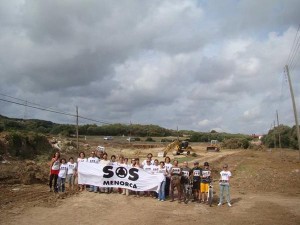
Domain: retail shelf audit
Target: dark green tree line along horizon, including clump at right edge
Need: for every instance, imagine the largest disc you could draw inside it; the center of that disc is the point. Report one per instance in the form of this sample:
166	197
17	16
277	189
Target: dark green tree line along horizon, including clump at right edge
288	137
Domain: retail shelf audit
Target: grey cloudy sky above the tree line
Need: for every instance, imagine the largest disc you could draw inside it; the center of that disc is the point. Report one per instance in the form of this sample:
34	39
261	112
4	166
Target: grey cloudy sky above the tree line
196	64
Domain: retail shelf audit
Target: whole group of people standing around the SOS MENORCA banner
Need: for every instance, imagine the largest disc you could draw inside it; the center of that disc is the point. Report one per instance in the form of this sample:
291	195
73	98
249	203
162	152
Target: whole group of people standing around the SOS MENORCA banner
179	178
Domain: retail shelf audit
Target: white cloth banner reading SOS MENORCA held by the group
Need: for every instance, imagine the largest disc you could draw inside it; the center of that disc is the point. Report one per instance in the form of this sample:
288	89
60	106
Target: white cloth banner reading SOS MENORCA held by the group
118	176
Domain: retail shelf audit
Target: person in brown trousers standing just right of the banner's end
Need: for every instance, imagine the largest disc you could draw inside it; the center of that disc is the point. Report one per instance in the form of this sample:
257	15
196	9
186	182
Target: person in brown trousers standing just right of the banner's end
176	173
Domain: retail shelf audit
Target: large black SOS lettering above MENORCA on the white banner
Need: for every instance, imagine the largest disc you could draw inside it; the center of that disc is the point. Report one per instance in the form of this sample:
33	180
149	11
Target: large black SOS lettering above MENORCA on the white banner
121	172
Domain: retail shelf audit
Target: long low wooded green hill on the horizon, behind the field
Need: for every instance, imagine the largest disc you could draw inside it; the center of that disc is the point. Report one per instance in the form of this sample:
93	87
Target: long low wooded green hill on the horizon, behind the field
137	130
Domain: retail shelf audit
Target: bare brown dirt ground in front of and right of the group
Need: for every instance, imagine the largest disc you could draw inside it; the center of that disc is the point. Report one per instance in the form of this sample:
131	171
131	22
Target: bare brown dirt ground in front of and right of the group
265	189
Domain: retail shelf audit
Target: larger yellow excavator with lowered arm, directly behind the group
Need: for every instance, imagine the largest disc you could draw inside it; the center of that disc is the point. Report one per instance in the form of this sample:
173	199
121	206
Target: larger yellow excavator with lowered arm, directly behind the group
181	147
